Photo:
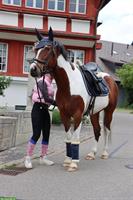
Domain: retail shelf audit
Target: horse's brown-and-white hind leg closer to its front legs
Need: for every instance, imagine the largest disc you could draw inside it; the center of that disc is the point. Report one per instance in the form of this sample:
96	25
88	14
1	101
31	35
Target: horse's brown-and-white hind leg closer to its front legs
96	128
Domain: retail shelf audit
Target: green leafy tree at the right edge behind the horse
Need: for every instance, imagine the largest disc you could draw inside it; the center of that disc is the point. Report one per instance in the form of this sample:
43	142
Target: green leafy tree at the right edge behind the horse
126	77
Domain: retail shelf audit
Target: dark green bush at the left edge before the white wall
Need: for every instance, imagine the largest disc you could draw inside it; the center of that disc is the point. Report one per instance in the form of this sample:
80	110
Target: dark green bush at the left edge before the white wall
4	83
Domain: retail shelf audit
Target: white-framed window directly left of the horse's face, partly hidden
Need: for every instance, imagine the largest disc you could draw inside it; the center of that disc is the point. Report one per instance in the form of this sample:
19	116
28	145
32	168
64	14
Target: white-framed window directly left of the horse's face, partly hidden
28	55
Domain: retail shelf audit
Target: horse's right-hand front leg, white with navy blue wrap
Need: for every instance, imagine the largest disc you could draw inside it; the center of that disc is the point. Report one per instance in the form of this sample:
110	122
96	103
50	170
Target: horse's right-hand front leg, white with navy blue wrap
75	141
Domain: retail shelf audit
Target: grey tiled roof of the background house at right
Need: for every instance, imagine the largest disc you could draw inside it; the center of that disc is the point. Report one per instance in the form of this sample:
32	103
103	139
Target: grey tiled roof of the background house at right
112	56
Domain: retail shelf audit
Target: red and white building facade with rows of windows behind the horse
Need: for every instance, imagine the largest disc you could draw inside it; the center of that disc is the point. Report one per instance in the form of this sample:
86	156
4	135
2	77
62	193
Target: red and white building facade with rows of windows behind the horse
74	23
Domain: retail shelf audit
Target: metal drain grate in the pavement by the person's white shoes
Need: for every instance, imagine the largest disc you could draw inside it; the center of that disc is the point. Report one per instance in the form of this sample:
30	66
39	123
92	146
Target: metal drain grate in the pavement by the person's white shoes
13	171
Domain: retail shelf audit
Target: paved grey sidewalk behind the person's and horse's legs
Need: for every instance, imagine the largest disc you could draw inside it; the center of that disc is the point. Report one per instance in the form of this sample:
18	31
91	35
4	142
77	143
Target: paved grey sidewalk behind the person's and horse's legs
15	155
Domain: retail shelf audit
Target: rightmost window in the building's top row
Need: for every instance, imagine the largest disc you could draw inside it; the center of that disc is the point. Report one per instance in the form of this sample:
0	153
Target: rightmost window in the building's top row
77	6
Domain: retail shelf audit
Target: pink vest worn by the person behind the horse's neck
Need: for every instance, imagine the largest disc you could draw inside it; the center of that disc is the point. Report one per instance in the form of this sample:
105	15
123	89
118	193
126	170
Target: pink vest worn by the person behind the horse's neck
35	96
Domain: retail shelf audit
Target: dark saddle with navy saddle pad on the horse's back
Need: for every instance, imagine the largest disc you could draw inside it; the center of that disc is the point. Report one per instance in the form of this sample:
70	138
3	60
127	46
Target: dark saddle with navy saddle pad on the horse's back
96	86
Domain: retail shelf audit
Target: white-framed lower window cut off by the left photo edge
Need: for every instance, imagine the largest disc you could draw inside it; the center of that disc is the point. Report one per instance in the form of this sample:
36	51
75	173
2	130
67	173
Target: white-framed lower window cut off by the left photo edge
3	57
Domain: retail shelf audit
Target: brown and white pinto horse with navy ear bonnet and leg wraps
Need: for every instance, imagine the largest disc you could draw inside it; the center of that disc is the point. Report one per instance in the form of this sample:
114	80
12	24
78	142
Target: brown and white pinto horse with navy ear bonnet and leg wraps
72	98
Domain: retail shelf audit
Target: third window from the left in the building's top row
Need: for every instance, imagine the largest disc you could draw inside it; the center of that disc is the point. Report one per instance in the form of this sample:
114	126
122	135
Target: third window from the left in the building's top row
58	5
